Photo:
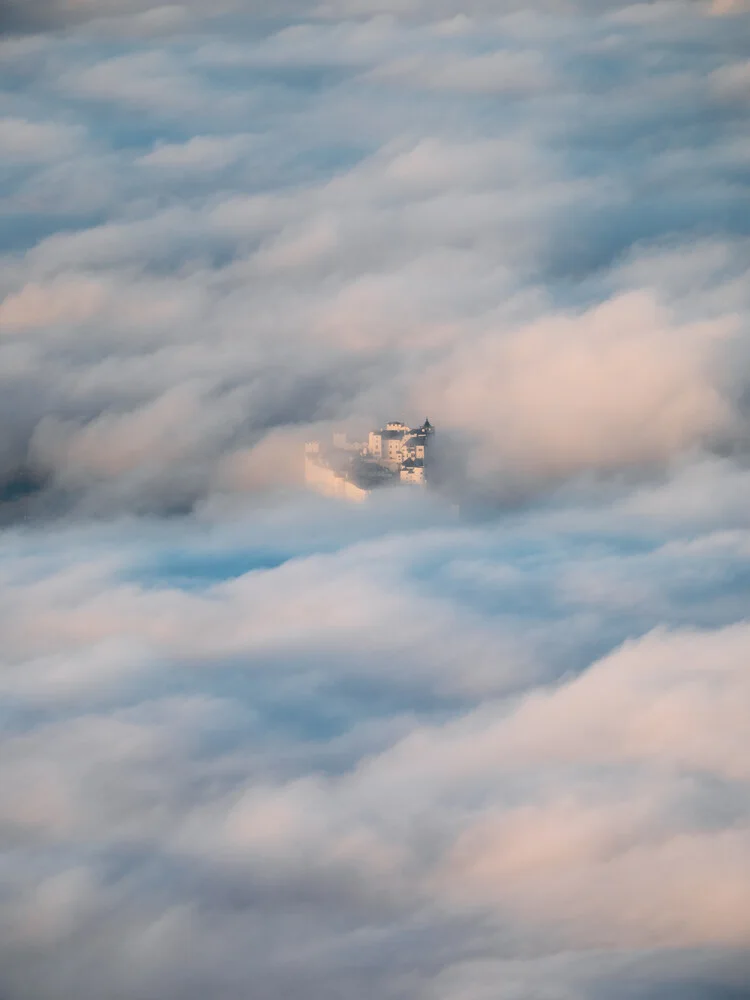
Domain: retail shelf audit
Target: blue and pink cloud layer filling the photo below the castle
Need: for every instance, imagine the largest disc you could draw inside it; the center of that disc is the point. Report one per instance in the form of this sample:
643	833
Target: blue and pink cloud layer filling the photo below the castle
499	807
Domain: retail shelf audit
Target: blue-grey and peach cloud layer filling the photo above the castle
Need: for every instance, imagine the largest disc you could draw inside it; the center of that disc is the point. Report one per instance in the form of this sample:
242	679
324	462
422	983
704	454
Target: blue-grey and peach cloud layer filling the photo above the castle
222	227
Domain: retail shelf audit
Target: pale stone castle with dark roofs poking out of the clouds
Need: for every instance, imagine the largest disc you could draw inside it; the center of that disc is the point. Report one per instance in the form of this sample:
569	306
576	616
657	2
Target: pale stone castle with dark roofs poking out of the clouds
394	454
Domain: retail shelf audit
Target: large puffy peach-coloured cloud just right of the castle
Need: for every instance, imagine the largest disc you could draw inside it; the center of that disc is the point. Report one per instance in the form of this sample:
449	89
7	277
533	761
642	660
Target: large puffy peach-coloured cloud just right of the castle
595	391
